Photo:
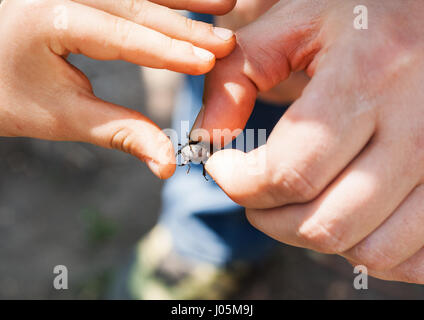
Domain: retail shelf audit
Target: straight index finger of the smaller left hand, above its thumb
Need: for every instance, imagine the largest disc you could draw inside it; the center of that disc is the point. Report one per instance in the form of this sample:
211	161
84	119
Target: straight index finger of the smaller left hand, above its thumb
100	35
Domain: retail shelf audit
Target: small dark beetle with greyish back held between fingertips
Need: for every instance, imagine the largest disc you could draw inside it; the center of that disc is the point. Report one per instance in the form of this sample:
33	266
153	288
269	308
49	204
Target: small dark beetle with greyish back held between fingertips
194	152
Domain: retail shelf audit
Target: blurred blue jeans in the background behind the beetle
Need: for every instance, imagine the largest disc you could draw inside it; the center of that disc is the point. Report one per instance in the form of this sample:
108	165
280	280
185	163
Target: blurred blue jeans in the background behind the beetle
205	224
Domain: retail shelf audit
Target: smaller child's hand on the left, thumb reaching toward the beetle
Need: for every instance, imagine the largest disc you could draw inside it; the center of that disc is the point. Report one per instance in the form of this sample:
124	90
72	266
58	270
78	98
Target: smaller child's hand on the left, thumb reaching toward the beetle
43	96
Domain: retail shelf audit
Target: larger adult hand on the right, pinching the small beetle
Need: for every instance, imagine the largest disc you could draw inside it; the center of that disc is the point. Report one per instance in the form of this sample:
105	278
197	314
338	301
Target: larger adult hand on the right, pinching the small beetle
345	165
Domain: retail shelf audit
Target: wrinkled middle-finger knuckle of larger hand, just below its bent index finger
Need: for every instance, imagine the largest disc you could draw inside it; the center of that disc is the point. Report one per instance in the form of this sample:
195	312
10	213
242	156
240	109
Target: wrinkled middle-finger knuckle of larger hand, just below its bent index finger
322	238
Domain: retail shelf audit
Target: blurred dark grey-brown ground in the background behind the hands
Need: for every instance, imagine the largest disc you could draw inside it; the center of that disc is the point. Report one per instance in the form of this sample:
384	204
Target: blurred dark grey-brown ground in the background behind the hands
84	207
